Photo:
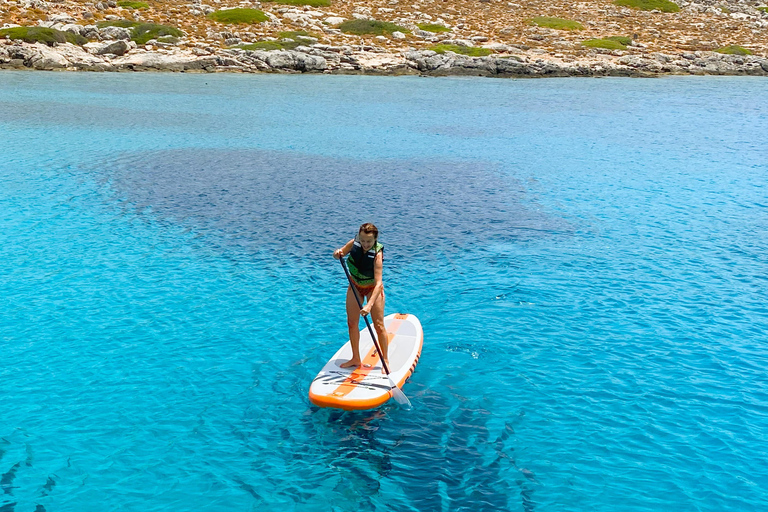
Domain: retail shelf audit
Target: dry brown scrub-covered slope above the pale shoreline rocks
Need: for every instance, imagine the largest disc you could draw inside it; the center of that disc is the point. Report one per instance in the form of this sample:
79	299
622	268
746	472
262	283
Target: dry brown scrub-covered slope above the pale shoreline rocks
697	26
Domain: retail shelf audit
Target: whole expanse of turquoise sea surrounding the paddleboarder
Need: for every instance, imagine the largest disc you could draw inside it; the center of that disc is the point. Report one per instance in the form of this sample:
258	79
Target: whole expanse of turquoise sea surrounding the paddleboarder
588	258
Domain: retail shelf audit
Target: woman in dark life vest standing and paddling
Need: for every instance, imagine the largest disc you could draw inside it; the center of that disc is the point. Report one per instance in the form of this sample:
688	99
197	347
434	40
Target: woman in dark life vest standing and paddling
365	262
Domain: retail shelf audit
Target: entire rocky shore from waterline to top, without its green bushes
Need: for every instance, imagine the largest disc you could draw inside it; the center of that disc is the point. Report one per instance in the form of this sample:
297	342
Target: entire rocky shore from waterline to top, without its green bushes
681	43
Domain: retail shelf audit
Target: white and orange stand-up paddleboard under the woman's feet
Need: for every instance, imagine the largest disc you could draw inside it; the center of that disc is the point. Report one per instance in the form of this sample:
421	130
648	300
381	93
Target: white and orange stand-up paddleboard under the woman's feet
366	386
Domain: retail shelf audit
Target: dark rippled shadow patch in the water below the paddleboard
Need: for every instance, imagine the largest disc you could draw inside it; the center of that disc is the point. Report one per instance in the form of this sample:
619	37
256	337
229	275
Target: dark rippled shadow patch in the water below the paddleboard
441	456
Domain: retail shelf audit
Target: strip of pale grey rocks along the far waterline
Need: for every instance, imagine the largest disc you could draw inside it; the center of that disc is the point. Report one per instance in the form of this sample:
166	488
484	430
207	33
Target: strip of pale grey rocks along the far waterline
121	55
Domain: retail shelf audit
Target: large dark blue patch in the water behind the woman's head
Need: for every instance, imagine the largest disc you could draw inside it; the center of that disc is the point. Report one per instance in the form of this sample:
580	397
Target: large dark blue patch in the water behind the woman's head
251	200
